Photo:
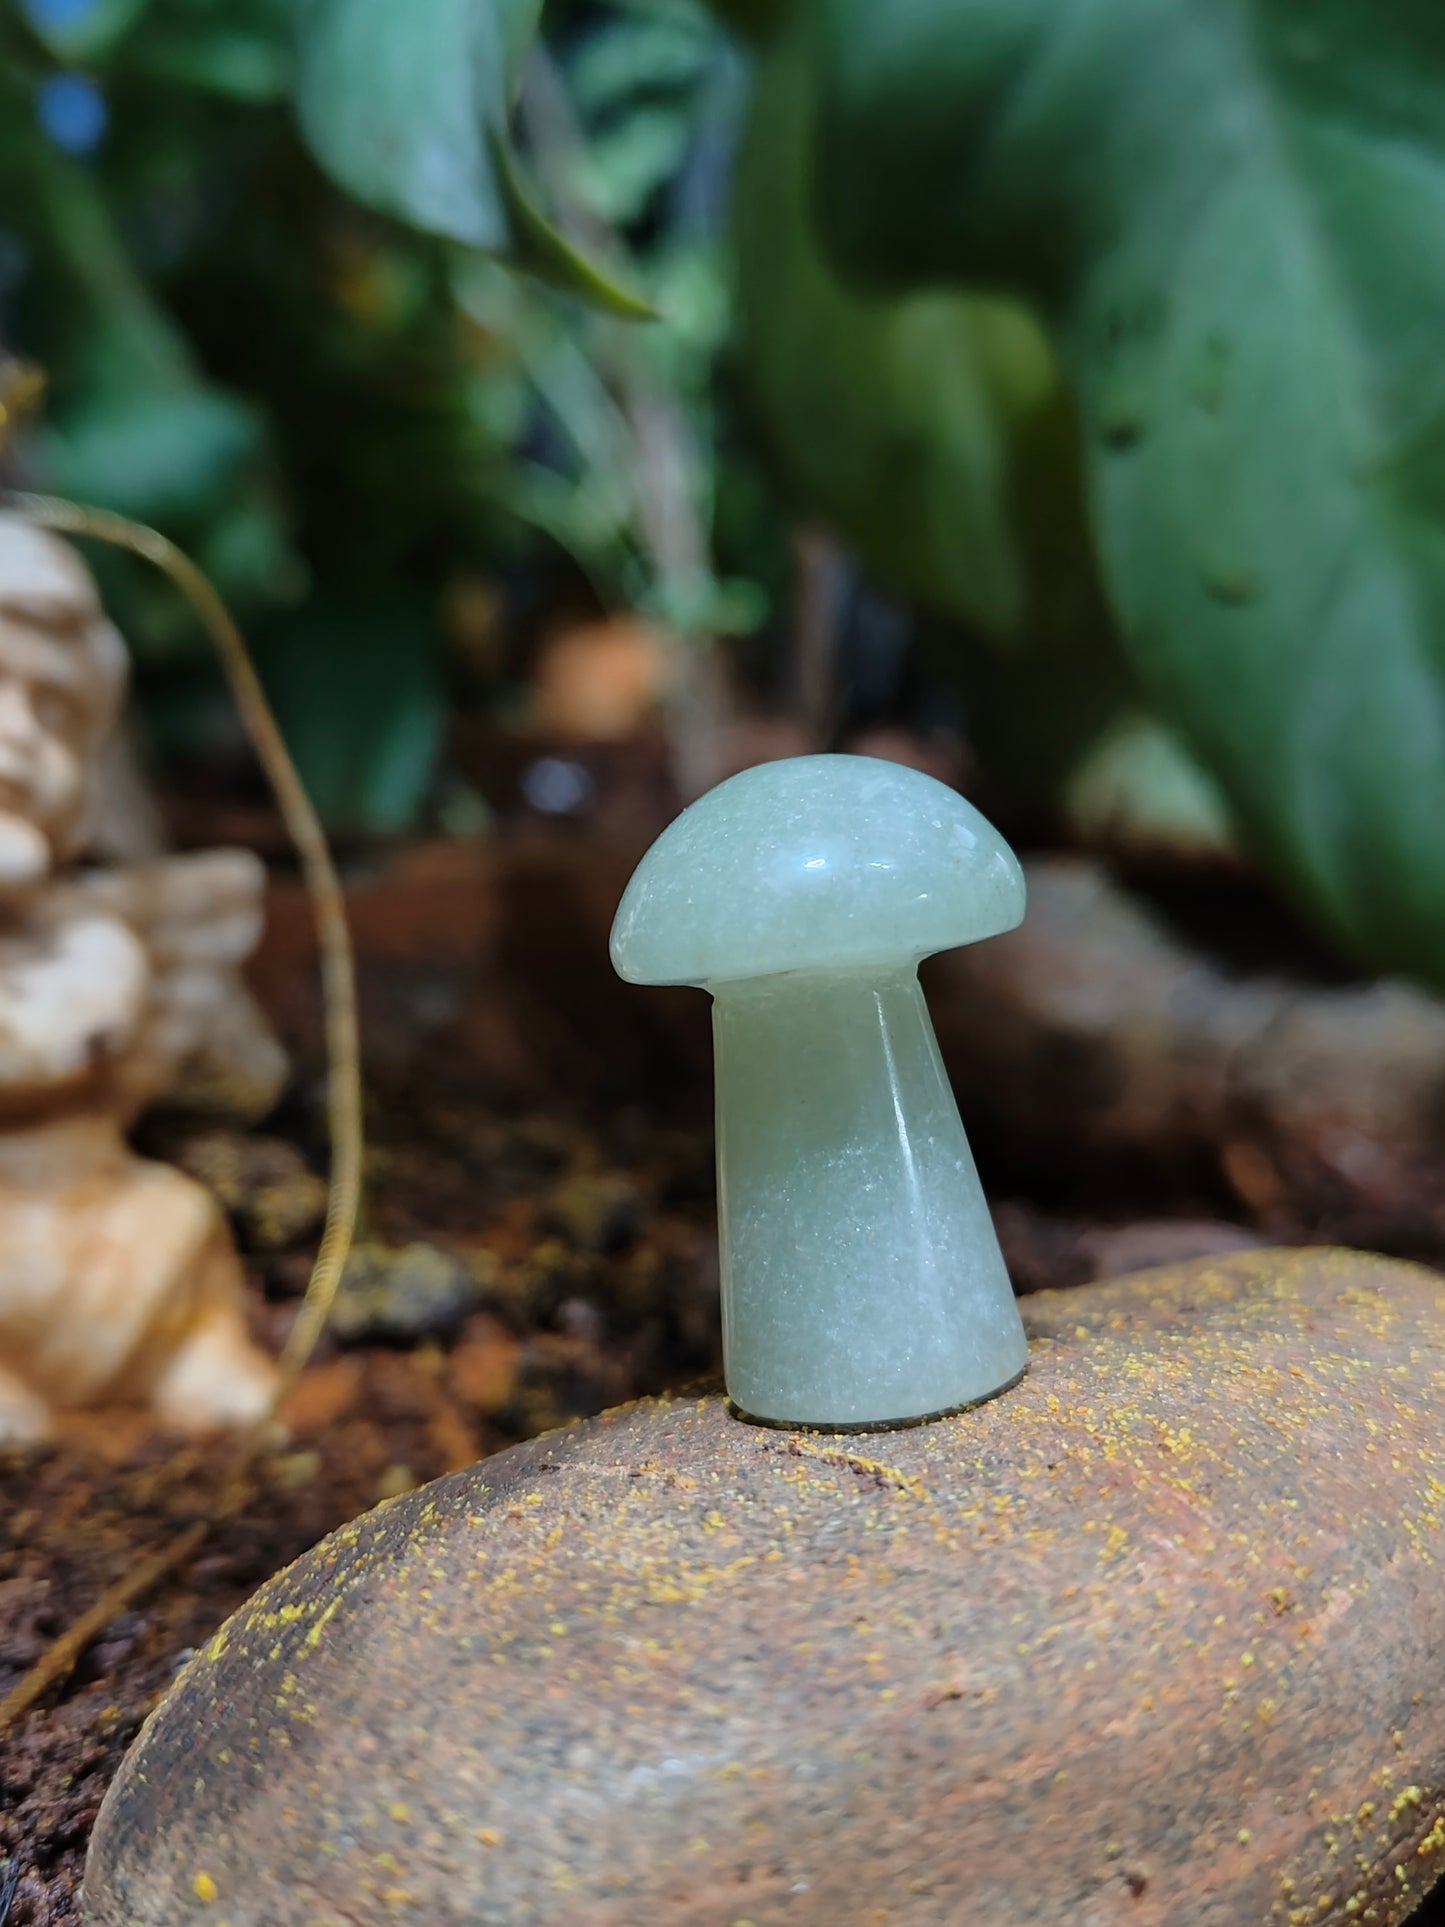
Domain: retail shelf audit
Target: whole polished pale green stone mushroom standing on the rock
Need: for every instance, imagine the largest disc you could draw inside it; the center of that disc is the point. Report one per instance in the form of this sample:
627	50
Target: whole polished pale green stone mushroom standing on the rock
862	1280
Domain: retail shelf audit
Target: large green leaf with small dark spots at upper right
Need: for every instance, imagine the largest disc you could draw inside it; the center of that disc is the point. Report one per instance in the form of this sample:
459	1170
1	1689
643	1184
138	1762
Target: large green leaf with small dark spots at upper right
1232	213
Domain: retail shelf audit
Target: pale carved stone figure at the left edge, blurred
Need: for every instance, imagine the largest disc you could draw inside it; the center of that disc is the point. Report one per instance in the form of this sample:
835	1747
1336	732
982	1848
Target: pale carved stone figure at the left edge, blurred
118	1277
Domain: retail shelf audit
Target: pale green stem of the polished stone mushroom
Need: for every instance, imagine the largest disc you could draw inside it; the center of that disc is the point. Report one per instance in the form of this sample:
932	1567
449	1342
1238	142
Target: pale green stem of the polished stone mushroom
862	1280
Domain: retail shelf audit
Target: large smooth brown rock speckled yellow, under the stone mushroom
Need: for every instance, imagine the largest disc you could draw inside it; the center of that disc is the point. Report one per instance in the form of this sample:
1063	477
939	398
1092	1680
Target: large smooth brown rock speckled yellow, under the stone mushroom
1155	1639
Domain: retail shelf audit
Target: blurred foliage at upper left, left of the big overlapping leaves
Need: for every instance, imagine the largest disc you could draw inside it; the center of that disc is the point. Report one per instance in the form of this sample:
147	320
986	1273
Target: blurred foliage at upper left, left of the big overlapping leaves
342	411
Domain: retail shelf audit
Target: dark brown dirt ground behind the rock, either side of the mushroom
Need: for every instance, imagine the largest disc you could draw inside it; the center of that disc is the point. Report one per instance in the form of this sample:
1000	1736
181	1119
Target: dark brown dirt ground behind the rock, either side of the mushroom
531	1259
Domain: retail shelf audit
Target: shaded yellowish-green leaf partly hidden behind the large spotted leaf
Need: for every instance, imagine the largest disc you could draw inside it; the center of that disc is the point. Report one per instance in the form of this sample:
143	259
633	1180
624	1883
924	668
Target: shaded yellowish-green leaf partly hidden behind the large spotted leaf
893	419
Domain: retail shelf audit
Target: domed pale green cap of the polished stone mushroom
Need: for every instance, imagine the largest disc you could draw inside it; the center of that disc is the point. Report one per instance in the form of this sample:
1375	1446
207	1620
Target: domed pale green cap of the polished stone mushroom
818	862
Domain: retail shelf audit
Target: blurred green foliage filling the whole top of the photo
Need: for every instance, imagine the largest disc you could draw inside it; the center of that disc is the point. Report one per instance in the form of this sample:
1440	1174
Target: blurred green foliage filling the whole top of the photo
1113	340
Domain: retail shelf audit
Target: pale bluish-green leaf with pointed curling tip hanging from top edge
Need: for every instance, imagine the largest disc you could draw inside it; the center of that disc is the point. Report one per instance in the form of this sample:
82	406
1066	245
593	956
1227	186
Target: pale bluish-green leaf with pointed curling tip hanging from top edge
406	107
